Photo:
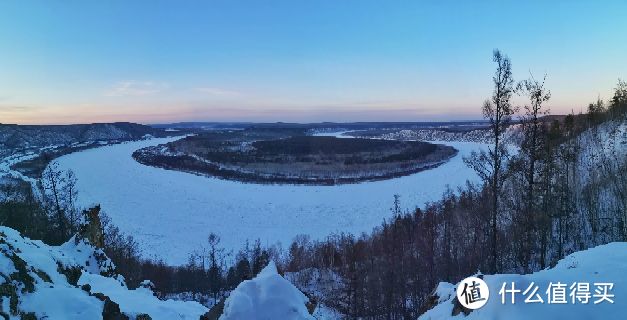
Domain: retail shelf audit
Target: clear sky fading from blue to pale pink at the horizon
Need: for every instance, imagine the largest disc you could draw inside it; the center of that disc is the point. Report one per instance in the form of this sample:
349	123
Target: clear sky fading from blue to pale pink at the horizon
295	60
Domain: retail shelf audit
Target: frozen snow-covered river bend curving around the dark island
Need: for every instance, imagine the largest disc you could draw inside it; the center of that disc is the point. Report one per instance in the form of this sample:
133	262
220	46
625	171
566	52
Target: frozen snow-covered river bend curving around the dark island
171	213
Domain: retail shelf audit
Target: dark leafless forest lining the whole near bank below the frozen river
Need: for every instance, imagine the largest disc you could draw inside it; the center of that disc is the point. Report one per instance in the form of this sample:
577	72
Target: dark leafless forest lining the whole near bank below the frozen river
562	189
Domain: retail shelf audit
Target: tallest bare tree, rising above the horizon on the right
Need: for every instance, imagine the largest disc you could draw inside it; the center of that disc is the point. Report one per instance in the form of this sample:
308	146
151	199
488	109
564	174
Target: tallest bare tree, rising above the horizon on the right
489	165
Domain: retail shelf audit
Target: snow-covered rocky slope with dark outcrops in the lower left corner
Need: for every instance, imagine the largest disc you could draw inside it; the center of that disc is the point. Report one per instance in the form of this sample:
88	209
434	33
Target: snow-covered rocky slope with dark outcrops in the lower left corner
72	281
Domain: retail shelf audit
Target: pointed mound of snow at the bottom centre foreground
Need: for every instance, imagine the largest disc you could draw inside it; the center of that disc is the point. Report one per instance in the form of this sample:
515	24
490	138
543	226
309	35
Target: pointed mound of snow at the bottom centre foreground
267	296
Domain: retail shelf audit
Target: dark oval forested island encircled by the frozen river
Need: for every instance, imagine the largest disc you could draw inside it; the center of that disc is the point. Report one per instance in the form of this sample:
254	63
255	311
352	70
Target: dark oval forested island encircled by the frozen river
290	156
